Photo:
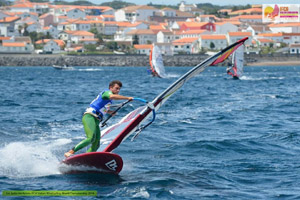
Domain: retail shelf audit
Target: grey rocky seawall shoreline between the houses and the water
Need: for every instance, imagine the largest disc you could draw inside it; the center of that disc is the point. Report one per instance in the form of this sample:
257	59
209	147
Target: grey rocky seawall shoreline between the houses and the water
138	60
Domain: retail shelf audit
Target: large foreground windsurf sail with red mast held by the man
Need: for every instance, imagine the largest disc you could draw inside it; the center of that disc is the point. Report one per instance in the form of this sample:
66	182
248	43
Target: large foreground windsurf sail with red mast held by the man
112	137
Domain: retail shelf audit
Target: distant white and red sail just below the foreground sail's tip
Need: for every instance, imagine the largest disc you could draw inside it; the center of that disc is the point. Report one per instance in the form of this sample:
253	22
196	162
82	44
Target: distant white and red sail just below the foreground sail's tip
237	63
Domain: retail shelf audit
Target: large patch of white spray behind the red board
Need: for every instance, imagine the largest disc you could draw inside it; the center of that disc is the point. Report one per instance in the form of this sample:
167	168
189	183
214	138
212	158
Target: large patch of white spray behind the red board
30	159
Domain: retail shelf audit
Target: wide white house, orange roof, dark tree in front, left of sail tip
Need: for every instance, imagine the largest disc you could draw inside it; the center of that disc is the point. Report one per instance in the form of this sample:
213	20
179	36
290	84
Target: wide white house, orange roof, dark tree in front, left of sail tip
214	42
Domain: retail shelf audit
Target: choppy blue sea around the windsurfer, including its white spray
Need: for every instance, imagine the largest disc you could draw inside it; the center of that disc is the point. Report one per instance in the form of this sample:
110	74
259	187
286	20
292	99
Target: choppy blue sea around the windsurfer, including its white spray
215	138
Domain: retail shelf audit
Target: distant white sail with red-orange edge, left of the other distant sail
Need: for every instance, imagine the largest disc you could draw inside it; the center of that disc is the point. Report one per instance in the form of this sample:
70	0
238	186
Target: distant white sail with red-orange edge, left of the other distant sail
156	62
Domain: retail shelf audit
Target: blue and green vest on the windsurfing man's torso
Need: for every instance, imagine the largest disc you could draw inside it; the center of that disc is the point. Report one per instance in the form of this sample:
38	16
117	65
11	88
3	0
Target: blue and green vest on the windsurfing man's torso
100	105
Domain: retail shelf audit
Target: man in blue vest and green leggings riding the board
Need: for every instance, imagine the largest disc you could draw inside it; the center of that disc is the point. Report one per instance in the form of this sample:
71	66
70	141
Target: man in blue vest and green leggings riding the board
94	115
